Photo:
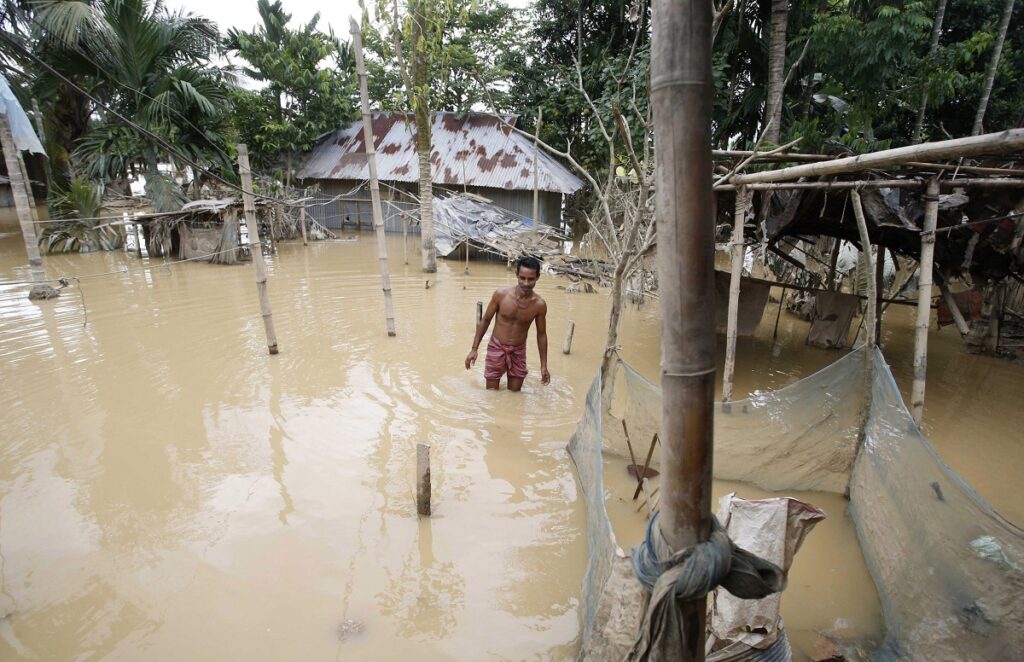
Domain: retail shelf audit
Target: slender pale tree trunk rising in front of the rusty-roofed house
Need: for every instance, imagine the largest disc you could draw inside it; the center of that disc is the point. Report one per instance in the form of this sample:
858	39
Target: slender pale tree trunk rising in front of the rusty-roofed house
420	100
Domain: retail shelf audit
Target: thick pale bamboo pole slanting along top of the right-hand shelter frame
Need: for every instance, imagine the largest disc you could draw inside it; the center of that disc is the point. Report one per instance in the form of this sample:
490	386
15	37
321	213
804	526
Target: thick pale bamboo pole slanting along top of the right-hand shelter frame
1003	142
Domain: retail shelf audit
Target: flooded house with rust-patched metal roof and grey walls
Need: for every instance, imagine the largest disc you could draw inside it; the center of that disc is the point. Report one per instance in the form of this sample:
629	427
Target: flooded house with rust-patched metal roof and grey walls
473	153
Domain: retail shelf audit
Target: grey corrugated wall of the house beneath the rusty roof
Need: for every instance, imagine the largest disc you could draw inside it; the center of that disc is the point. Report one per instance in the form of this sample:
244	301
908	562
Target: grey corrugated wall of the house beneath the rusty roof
356	208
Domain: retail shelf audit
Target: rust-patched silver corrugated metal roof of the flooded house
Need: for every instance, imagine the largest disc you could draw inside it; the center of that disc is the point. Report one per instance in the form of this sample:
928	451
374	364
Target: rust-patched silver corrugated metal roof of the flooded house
475	150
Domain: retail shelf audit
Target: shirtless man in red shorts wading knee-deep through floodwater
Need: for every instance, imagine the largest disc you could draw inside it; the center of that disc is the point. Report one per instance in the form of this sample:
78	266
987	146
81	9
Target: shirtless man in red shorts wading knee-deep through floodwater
518	308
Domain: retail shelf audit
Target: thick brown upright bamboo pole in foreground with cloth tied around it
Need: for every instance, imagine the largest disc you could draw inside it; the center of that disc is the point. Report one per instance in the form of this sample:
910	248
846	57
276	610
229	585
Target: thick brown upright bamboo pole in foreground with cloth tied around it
682	91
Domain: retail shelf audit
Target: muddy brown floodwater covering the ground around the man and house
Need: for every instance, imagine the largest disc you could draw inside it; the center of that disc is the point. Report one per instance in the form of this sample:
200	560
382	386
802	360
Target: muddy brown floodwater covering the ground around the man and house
168	491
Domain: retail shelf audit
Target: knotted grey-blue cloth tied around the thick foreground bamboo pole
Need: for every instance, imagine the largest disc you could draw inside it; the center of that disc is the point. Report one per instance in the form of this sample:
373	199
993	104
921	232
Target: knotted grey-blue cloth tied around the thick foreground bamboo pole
675	577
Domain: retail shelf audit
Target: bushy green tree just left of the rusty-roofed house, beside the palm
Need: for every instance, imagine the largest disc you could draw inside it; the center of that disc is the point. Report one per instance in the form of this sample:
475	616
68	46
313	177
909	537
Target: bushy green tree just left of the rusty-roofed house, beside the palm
310	85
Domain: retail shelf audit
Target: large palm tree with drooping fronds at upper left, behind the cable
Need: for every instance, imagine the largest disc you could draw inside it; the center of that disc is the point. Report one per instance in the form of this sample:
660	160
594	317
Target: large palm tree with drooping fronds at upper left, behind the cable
151	65
